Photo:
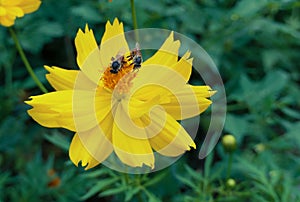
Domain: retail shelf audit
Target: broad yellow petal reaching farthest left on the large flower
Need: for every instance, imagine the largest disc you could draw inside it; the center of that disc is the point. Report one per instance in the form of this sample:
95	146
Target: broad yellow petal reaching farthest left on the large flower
74	110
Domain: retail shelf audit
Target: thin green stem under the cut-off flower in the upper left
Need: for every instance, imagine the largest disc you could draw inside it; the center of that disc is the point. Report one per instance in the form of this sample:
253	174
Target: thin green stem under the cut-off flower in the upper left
25	61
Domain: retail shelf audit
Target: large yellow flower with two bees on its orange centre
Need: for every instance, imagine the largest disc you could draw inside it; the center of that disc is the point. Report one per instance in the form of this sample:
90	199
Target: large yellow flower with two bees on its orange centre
131	113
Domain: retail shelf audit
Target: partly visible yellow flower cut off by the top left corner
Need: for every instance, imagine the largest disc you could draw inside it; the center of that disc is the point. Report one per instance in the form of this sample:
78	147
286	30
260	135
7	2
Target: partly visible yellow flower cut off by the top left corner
10	9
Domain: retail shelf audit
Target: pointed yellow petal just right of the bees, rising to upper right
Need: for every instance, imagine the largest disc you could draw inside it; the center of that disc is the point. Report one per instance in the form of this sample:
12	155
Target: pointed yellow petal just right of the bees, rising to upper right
167	55
